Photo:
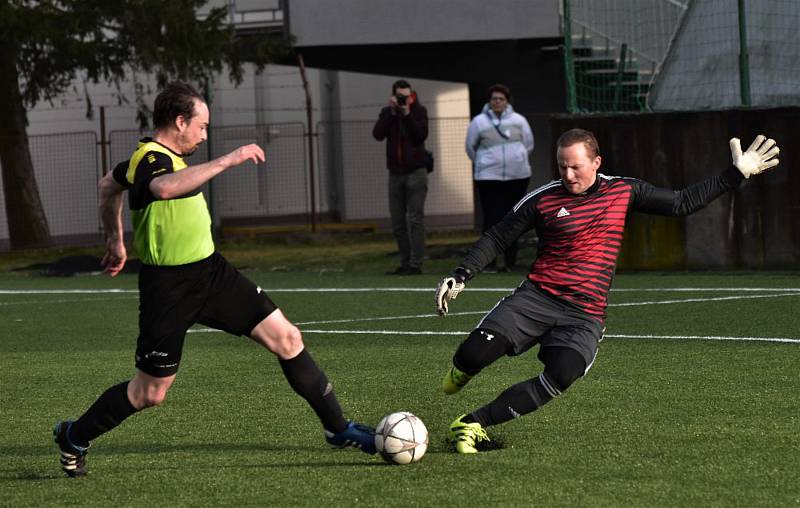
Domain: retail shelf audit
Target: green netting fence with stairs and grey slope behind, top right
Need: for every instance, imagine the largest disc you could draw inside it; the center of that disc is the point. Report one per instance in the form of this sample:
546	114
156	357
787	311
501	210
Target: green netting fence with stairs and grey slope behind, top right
634	55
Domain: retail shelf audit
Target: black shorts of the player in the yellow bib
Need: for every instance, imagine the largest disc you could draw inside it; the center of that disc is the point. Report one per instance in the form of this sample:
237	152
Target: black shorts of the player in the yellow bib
173	298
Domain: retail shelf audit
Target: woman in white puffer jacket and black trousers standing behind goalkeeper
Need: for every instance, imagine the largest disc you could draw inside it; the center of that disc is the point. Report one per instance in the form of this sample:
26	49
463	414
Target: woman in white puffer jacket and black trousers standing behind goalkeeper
499	143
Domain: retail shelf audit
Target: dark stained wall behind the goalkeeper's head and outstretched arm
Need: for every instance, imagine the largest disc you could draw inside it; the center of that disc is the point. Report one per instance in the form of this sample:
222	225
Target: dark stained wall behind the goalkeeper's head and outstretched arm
754	227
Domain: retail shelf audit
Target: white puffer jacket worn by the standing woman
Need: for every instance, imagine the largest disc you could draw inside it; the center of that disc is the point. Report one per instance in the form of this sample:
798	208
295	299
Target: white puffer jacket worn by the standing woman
499	147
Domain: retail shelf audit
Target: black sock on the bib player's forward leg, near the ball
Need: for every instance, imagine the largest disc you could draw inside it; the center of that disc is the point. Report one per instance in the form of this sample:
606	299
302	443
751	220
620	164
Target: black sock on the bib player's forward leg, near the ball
306	378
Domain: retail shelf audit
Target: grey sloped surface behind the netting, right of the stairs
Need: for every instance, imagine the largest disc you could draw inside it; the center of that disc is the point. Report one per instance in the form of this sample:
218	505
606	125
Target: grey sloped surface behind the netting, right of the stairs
729	54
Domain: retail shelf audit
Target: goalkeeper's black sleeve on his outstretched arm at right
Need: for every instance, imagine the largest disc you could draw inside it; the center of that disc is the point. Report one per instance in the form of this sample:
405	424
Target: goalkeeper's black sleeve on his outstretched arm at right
659	201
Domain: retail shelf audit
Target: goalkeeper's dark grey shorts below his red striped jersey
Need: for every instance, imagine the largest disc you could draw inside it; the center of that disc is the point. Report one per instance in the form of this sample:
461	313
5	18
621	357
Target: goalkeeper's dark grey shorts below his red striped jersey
528	316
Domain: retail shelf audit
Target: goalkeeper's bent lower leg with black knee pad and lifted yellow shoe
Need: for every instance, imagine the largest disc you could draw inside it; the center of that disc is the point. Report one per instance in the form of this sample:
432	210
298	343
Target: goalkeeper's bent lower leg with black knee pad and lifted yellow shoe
478	351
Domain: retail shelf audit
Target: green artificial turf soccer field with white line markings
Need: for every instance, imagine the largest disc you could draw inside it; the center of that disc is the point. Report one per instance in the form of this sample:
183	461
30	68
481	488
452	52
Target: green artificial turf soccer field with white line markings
693	399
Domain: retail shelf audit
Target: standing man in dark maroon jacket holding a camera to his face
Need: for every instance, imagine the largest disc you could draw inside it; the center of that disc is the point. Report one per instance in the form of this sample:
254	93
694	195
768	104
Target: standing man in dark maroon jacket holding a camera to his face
404	126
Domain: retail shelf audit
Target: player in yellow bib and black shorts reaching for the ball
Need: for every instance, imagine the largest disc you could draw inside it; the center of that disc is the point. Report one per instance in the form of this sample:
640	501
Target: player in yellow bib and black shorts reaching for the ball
183	280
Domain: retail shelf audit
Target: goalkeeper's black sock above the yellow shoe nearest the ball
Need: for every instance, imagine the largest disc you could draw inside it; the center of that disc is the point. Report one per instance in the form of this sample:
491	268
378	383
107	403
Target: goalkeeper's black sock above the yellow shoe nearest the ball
518	400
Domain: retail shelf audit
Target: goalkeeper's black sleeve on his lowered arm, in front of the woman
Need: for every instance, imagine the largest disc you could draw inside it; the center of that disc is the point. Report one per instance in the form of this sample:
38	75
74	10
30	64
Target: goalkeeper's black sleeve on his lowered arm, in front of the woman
520	219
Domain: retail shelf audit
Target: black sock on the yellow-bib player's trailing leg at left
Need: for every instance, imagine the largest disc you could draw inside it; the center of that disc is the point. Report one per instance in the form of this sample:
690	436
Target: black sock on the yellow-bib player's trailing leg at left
108	411
